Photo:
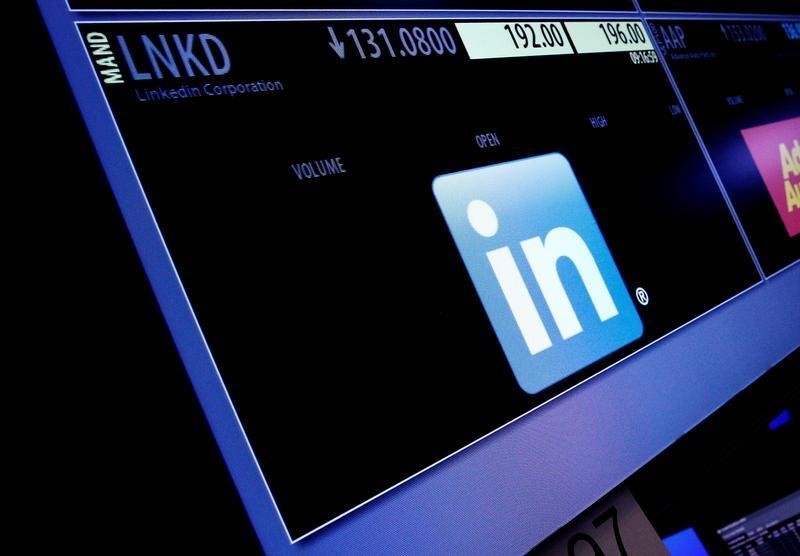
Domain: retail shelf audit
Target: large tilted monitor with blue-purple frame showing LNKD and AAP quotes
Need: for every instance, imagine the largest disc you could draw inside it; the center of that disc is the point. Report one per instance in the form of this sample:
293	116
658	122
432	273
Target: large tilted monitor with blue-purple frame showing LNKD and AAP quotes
444	275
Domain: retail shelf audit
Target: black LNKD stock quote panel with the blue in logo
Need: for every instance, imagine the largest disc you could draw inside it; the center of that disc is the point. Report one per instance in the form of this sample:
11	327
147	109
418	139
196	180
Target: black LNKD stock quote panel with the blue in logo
395	237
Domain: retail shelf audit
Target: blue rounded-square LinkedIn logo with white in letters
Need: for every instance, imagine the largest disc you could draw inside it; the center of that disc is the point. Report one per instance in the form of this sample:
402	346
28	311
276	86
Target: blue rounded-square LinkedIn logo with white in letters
540	265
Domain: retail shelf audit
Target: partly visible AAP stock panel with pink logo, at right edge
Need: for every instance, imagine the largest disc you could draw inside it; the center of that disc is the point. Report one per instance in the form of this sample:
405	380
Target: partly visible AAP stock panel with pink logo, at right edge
741	83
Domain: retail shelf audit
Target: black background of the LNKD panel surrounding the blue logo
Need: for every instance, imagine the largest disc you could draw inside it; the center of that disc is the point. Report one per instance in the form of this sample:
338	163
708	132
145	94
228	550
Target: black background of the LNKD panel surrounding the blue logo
267	261
